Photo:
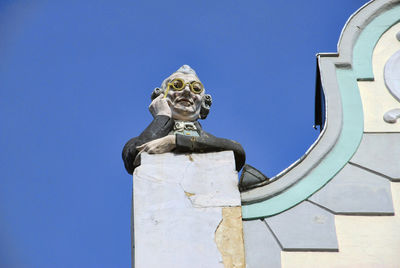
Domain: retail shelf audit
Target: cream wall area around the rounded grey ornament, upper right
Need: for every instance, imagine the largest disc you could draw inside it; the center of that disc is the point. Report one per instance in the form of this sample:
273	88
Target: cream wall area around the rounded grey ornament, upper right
376	99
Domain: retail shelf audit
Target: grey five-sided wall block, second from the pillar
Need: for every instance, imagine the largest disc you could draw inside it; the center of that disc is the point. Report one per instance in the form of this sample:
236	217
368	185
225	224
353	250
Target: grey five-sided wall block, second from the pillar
305	227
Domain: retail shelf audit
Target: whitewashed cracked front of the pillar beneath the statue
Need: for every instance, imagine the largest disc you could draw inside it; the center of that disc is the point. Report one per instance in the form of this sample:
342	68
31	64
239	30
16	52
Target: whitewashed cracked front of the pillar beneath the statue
178	201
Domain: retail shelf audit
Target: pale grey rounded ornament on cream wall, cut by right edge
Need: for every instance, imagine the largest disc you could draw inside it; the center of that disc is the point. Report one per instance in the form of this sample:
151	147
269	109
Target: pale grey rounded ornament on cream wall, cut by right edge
392	75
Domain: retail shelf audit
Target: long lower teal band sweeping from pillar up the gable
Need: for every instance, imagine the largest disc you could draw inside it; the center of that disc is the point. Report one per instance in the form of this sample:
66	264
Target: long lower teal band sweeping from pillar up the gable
347	144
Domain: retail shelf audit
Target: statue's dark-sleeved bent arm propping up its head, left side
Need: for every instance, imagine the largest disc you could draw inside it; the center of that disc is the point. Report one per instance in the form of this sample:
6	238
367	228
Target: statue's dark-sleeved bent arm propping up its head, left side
159	127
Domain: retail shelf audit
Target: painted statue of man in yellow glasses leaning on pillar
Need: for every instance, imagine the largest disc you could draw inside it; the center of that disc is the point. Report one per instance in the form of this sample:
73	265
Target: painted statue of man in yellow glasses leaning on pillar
176	107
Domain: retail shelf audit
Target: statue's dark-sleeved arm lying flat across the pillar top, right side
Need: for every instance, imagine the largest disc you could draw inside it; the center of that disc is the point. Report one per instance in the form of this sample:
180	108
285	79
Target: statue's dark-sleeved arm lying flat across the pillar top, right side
208	143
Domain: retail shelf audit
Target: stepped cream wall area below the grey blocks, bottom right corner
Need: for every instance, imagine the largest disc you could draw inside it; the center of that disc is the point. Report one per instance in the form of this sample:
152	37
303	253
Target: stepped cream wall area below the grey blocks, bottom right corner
364	241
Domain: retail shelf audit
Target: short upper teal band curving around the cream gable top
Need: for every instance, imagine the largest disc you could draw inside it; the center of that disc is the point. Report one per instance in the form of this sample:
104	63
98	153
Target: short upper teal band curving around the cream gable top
362	57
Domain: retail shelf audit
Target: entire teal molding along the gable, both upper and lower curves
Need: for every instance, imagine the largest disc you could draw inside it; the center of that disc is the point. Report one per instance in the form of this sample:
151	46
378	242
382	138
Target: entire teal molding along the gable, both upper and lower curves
352	129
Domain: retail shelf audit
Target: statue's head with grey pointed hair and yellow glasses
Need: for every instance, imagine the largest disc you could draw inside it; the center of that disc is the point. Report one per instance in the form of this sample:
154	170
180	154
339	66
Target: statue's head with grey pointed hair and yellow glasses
187	95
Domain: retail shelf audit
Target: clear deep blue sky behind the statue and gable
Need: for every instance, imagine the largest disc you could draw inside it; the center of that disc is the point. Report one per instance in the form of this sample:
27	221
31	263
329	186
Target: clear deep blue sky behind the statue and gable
75	84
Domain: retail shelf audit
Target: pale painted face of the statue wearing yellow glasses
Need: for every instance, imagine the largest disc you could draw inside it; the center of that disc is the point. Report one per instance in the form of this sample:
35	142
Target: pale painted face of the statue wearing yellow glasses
186	105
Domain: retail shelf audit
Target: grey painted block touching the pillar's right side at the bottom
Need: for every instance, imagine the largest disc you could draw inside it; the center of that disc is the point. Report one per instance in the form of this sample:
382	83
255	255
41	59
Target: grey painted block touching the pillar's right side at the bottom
262	250
